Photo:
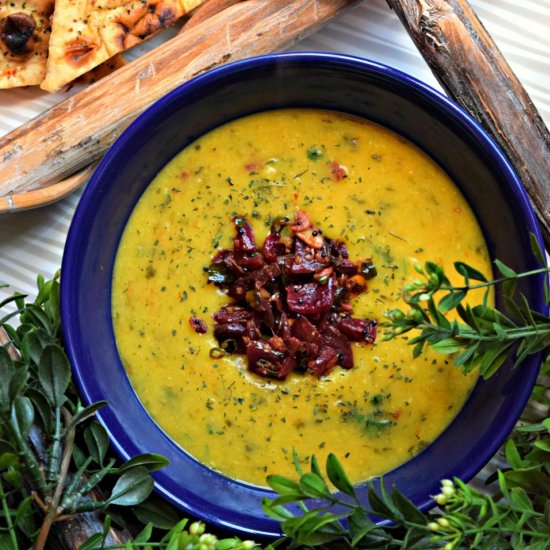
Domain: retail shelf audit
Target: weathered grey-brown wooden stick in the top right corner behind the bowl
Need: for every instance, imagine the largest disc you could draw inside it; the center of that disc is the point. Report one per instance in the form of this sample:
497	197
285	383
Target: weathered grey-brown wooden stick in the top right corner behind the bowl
475	74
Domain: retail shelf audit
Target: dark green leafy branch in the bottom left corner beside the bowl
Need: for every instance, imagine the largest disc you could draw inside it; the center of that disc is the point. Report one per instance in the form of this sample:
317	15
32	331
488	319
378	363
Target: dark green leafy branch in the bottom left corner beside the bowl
55	462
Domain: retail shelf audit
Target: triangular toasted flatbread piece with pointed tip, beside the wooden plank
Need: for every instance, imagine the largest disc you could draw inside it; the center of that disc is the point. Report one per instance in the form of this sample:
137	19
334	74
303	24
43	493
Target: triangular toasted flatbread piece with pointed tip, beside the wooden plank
87	32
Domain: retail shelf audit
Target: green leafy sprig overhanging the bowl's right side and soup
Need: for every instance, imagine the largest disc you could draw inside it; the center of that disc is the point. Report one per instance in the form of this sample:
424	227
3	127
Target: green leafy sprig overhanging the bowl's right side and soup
481	335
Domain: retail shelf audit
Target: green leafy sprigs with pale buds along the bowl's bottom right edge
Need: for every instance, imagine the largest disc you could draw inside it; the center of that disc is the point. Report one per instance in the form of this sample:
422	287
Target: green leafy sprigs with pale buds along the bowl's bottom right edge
466	518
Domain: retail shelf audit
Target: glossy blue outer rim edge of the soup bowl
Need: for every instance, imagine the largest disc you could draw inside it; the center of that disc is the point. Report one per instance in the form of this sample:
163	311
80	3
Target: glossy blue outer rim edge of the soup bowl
85	209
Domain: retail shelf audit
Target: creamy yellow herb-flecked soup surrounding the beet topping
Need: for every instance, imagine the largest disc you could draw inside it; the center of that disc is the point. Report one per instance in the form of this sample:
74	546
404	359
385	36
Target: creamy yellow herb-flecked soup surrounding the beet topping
361	184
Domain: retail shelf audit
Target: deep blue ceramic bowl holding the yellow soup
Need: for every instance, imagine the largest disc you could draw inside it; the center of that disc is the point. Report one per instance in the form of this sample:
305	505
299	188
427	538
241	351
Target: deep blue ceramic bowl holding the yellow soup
336	82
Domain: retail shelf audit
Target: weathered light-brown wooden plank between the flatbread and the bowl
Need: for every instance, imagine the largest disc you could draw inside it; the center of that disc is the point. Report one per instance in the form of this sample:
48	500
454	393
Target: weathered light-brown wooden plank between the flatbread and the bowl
36	158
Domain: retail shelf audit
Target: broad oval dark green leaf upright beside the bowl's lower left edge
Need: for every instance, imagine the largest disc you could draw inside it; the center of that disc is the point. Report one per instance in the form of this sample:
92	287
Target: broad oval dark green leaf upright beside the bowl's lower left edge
54	374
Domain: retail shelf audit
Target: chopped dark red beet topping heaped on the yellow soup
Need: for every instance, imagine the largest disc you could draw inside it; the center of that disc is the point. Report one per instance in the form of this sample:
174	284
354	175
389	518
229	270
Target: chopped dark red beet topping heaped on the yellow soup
291	308
